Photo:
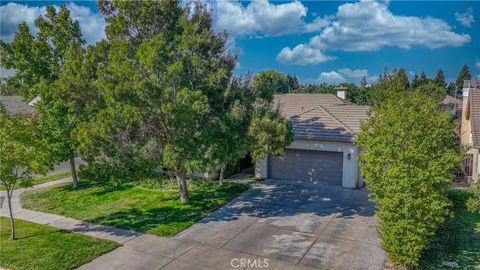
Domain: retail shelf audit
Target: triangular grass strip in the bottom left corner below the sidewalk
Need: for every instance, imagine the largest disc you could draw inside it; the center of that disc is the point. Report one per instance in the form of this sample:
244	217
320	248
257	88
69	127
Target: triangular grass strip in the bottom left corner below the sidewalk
43	247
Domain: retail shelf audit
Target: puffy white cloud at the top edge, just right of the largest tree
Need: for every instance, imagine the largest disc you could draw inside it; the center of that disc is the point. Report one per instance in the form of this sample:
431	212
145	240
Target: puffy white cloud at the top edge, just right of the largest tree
258	17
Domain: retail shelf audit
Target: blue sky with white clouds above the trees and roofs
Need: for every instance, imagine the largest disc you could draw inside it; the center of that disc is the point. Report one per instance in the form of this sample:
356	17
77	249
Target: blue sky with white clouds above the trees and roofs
321	41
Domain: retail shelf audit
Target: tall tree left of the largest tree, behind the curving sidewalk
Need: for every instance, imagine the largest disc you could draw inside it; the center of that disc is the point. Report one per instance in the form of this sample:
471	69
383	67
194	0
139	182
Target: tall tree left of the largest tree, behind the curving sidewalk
39	63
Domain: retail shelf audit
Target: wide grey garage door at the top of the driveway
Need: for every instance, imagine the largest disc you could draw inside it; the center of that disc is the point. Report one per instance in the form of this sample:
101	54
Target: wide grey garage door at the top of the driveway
310	166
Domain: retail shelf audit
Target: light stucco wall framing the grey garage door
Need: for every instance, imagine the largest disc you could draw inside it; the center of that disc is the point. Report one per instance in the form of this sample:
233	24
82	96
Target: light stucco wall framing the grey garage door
350	175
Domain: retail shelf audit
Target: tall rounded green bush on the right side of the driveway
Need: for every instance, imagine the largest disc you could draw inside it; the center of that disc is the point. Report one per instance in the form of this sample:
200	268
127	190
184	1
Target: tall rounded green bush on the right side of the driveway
409	155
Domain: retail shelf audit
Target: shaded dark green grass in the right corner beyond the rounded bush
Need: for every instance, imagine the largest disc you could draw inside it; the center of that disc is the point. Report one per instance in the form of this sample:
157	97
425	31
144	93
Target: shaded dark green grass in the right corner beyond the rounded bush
458	238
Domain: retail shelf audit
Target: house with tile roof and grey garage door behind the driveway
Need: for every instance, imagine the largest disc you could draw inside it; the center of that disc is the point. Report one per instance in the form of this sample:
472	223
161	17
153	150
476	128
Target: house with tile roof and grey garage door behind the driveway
324	150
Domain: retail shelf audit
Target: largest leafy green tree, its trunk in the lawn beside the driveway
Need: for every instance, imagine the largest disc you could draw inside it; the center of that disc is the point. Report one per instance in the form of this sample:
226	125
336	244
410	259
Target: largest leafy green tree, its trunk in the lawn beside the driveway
163	85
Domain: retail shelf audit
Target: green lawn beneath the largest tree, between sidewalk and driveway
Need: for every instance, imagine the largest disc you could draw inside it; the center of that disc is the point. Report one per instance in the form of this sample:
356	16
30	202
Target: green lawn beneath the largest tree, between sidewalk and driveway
141	208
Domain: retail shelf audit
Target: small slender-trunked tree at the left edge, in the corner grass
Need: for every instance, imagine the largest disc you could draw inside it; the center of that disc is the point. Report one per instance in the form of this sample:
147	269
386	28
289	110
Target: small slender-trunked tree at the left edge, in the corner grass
22	153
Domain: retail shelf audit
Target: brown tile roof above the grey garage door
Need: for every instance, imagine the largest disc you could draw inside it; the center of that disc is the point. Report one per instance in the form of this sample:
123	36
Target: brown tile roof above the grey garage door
321	116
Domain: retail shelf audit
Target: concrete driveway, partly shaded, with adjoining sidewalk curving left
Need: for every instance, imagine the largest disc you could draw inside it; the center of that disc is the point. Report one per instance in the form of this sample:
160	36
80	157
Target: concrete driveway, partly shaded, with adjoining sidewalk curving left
274	225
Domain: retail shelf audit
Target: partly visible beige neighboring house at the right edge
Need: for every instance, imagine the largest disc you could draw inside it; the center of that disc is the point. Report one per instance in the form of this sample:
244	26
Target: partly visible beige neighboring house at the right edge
470	129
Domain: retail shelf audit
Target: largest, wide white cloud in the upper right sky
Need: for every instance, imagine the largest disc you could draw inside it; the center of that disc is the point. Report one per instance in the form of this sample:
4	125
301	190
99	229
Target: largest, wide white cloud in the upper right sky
370	26
